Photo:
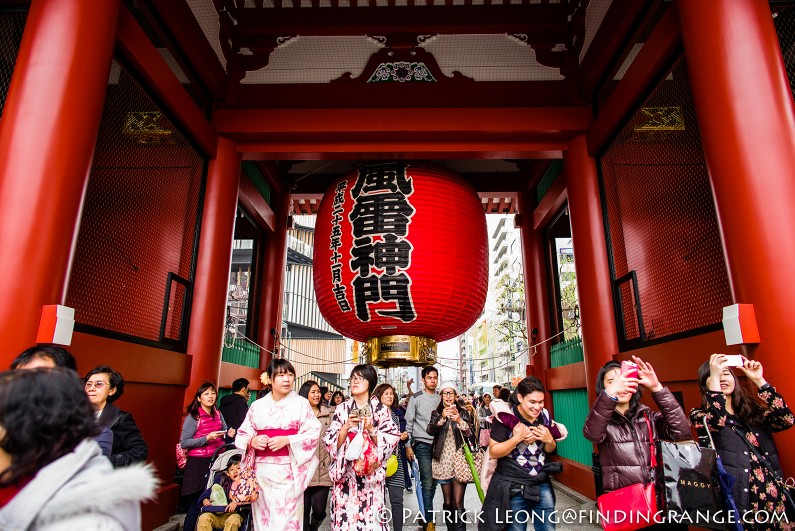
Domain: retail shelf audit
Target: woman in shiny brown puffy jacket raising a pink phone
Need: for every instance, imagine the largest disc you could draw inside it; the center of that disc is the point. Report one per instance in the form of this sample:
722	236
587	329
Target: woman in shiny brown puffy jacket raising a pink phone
618	425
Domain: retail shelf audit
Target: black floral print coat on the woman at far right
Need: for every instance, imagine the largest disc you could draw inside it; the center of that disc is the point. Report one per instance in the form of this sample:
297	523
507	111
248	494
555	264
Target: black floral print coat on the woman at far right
755	486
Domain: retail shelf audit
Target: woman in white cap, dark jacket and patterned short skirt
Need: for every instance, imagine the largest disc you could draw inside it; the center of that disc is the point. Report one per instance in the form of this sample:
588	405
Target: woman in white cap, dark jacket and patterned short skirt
449	424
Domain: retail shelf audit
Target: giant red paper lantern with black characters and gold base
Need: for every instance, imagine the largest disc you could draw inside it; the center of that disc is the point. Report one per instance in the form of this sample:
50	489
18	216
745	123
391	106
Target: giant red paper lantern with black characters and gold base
401	259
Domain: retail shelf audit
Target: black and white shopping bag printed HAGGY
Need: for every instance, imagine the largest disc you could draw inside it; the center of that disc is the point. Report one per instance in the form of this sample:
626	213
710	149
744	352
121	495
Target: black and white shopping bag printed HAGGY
691	489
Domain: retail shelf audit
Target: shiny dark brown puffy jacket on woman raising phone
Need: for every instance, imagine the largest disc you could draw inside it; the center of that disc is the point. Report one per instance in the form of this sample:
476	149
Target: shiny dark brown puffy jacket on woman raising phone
623	440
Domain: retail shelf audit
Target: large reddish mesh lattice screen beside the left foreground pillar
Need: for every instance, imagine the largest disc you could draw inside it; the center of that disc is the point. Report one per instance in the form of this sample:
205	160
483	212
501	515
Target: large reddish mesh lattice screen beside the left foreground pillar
134	259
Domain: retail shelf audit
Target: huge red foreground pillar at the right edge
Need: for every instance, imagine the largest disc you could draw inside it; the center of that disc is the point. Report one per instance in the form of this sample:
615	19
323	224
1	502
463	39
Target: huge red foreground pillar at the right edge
747	120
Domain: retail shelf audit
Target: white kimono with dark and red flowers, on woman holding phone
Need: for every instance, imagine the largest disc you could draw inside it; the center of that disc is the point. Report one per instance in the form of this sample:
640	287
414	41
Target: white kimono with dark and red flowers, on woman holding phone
357	503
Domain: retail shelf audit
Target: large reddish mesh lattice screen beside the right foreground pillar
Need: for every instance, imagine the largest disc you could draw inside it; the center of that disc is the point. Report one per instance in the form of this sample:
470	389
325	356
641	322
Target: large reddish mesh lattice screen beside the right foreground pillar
667	259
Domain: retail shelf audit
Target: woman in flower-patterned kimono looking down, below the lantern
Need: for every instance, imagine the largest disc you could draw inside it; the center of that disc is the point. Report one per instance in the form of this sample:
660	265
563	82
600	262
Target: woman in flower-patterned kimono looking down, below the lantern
357	502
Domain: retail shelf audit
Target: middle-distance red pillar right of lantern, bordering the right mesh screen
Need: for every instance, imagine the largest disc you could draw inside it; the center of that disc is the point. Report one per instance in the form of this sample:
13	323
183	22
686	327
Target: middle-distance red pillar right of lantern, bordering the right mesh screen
597	320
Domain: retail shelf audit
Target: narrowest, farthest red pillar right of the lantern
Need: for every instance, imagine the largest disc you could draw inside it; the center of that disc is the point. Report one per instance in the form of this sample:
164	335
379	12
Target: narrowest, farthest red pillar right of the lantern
535	287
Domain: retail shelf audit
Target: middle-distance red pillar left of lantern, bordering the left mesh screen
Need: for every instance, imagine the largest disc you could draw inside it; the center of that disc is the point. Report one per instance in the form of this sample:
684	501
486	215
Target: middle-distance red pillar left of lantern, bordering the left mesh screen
214	261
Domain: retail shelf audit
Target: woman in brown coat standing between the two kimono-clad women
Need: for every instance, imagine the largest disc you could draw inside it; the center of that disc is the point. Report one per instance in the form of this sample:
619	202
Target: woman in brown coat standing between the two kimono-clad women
316	495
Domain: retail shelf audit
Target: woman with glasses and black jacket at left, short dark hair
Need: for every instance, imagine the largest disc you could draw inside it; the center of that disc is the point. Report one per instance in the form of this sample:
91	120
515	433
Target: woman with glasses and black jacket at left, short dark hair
103	387
